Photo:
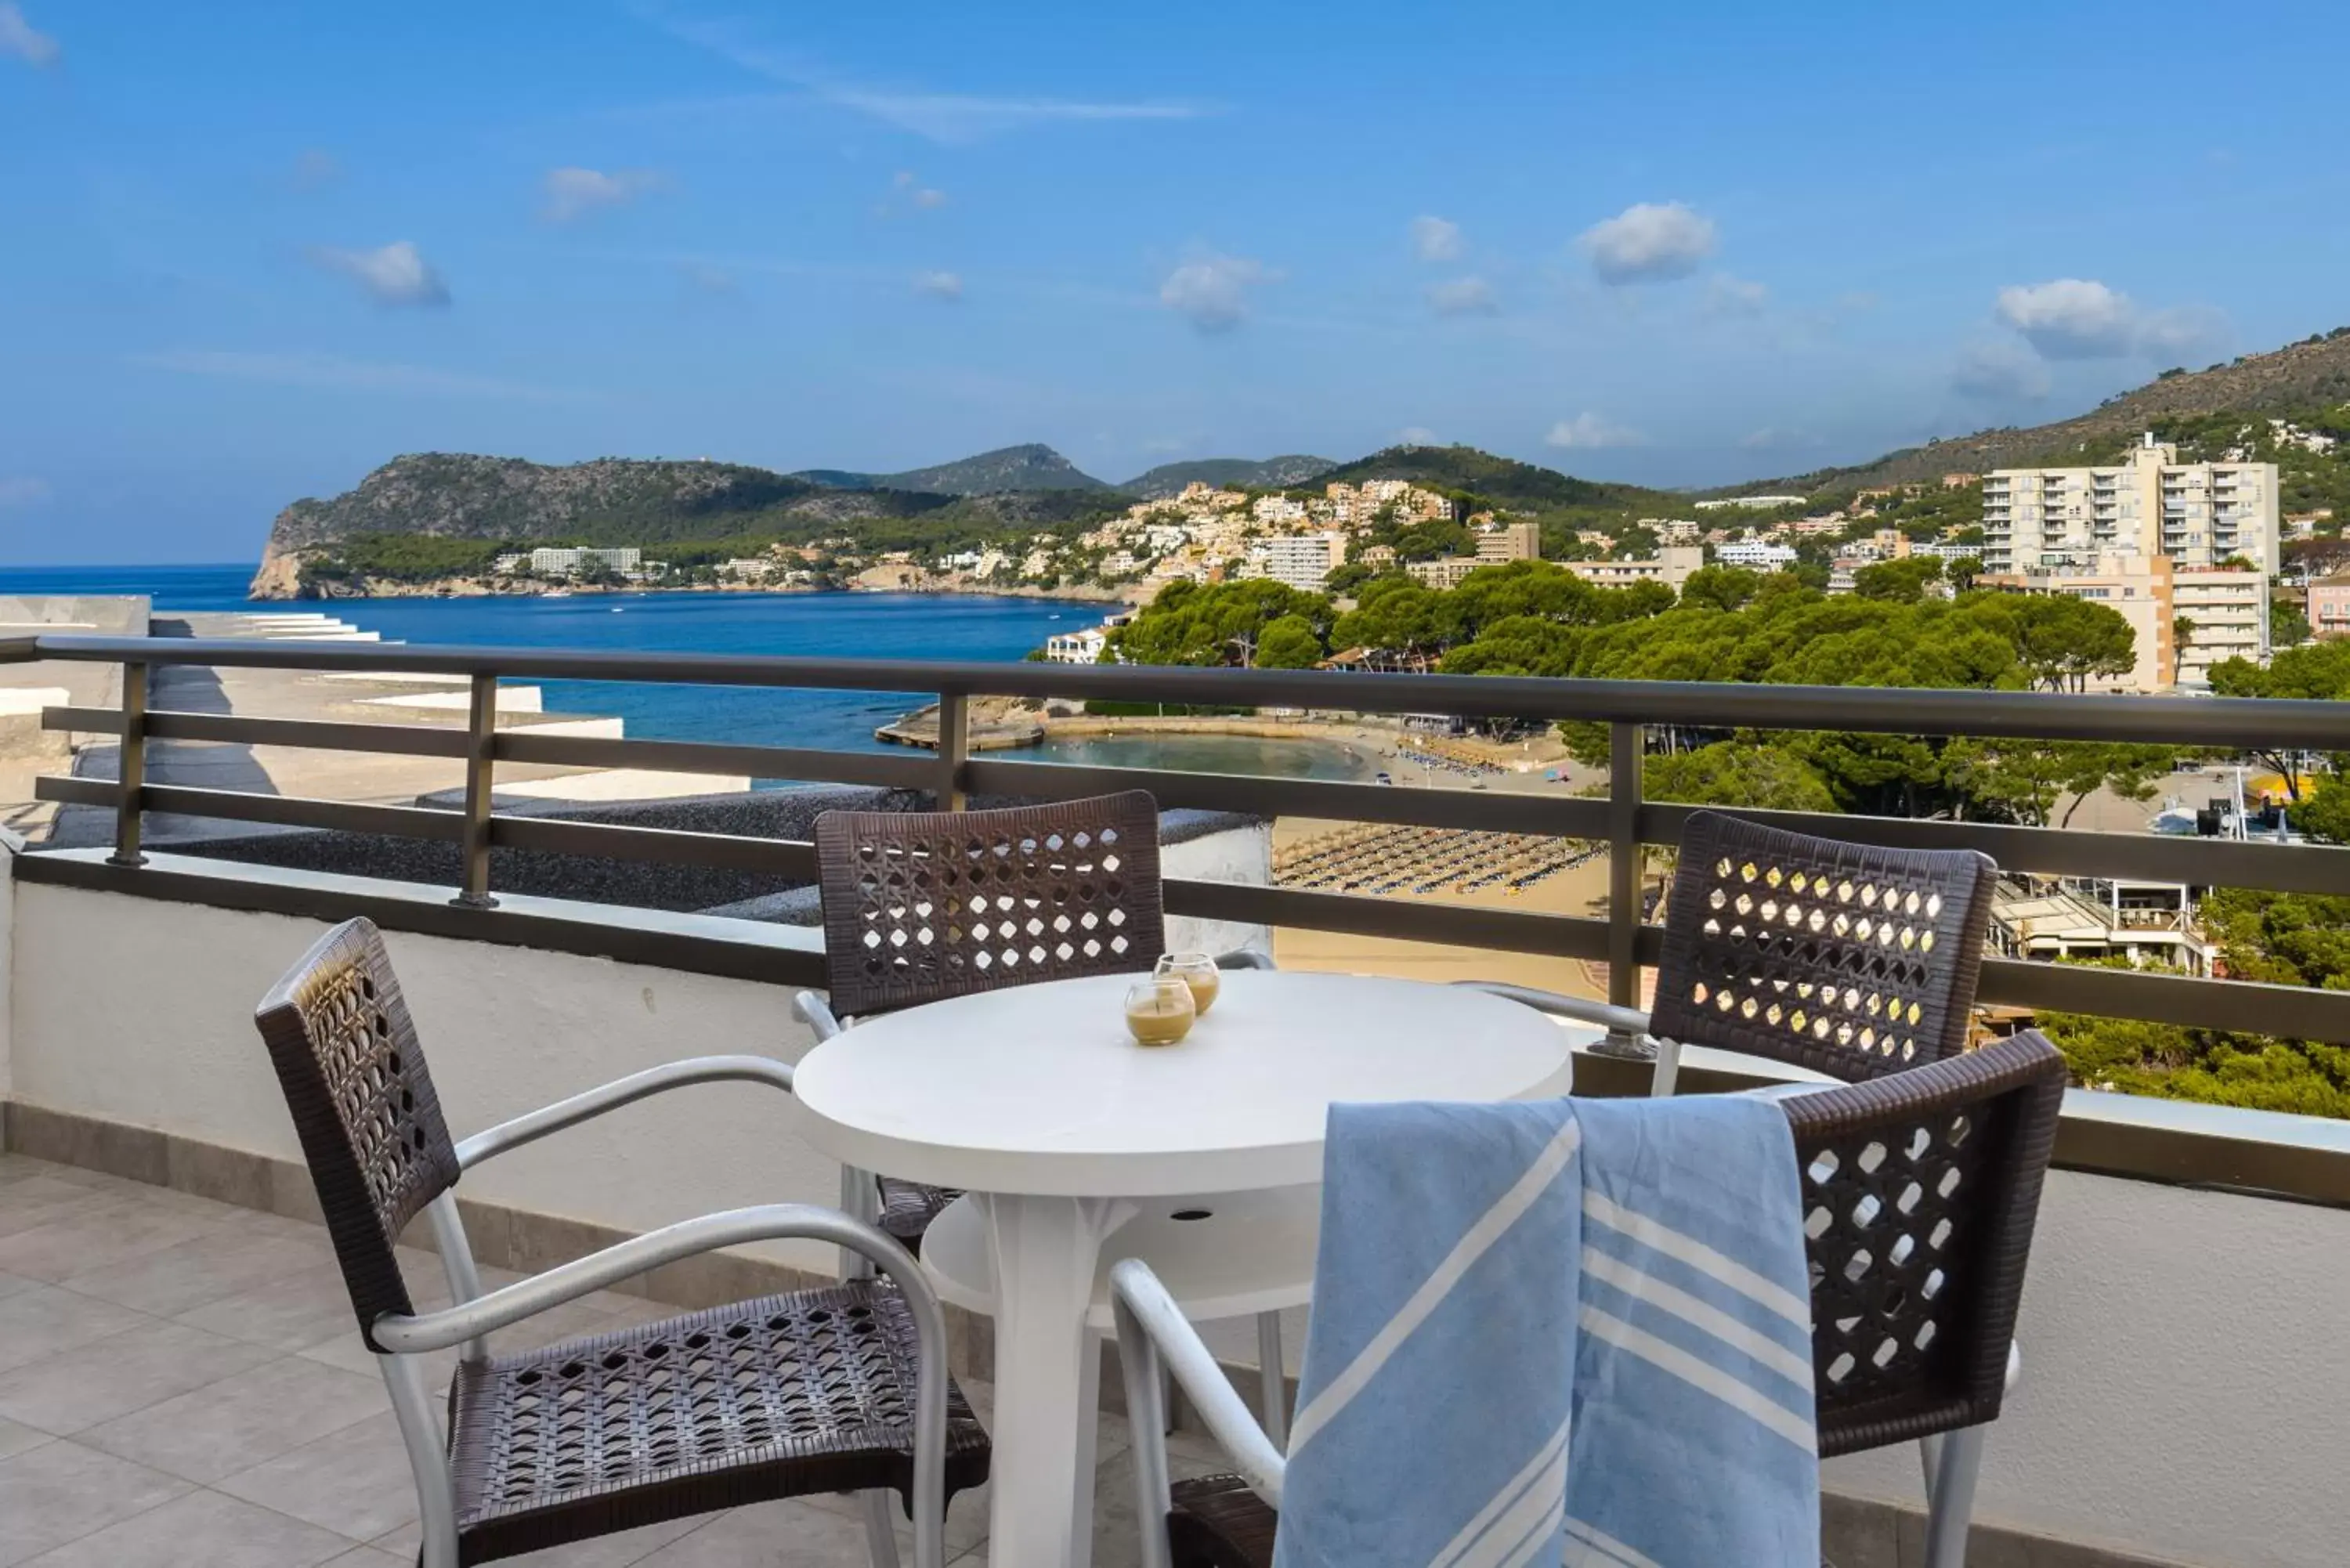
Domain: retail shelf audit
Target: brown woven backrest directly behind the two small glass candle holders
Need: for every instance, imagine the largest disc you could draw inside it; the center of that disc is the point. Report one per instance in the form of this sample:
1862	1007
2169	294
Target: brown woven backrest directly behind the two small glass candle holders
925	906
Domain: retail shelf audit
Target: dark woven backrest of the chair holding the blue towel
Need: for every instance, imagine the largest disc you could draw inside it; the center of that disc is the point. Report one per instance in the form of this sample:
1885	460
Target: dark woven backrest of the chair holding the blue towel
1921	1193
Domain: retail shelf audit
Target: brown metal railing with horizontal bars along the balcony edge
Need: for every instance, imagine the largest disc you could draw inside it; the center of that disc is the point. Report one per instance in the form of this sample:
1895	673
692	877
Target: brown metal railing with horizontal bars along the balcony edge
1623	819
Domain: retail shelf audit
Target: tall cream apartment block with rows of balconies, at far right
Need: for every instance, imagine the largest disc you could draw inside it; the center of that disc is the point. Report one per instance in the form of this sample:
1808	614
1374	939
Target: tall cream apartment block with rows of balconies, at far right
2151	504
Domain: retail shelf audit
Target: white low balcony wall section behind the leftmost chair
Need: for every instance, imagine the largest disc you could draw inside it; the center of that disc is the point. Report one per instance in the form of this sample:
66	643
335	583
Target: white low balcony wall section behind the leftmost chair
147	1017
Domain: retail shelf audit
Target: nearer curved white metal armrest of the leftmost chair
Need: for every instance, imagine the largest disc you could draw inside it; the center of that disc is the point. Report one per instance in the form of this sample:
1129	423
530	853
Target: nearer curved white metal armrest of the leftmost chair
704	1235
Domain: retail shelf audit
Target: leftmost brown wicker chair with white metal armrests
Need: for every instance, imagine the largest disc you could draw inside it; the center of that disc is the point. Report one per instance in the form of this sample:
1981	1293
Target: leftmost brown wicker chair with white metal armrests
840	1391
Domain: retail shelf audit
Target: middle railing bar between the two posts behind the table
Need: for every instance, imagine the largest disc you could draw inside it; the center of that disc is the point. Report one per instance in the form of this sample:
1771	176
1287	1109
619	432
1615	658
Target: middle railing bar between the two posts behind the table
1317	798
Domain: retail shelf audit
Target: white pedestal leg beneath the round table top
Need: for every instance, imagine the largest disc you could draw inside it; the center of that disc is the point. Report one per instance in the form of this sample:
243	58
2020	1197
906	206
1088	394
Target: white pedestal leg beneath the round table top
1047	1374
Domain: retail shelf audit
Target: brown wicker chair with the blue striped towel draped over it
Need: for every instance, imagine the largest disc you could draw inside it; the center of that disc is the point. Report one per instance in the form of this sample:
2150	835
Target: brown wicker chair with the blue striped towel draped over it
1921	1198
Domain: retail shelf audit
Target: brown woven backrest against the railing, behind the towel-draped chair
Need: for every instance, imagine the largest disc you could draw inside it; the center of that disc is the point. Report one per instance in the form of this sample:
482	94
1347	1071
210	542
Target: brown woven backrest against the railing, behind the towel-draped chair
1841	958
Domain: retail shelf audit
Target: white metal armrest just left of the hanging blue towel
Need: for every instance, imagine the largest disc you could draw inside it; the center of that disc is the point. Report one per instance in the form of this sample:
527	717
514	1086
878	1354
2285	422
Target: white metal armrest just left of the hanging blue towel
1153	1329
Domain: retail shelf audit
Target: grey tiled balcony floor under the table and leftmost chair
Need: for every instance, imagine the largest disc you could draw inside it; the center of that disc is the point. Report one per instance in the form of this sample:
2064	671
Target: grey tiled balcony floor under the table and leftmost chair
182	1383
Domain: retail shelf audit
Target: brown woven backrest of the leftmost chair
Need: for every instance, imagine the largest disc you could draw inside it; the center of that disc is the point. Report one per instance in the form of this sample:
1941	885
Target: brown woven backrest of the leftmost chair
363	1106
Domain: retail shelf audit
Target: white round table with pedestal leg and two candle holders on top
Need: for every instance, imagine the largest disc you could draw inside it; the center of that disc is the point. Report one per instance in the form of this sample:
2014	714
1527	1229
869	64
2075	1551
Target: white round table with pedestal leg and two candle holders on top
1040	1106
